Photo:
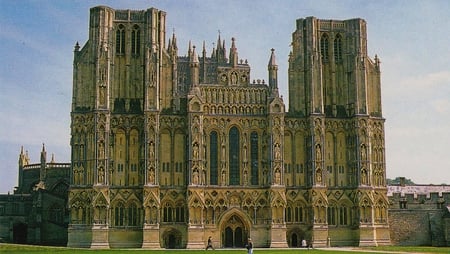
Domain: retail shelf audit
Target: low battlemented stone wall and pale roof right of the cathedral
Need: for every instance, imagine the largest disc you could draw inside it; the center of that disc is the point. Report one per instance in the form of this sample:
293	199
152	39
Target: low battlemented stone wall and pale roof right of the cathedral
419	214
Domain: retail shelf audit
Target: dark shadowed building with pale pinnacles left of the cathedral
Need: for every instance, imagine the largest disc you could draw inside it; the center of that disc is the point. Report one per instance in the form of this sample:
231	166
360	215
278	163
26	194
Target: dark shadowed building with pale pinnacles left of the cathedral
36	213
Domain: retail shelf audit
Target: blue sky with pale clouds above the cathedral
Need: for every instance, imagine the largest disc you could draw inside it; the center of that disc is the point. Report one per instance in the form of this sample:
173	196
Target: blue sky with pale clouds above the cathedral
410	37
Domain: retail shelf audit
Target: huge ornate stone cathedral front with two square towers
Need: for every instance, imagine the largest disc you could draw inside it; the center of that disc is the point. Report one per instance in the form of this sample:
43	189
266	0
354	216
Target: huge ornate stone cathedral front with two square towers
168	150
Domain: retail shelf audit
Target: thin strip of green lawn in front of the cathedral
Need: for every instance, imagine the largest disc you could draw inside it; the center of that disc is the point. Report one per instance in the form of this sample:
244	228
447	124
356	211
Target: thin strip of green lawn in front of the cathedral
15	248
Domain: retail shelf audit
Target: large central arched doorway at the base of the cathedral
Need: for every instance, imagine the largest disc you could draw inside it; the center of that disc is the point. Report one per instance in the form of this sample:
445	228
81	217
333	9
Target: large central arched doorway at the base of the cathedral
234	234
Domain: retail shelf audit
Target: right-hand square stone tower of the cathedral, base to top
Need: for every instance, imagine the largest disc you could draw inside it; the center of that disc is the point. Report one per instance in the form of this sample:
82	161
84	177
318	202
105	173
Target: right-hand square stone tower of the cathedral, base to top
337	140
